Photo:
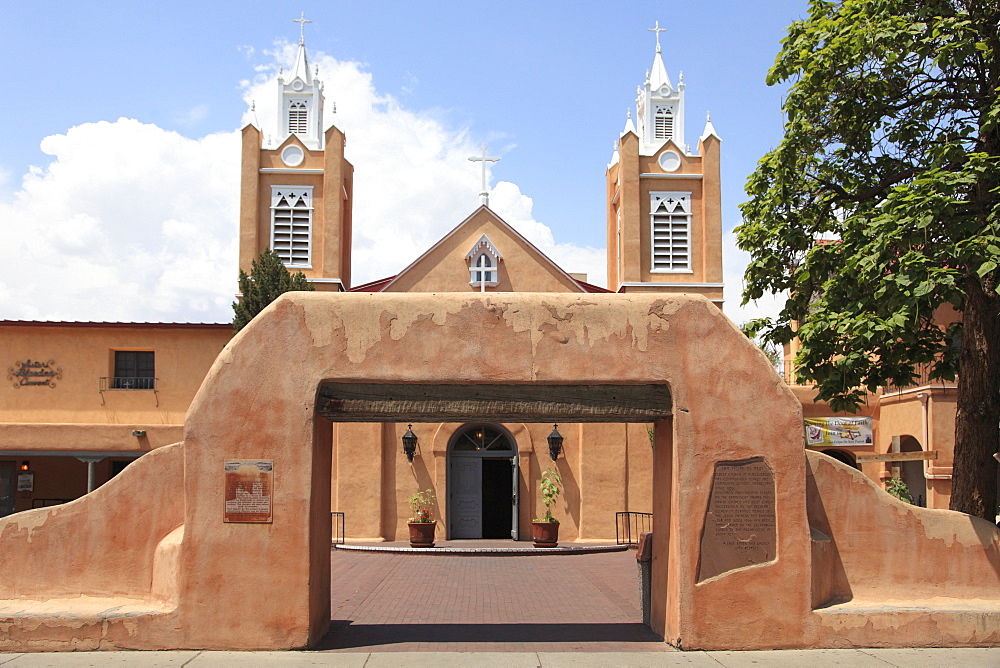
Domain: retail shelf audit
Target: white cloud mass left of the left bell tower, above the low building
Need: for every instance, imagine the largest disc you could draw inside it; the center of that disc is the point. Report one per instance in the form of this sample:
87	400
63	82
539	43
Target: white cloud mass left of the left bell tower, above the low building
93	236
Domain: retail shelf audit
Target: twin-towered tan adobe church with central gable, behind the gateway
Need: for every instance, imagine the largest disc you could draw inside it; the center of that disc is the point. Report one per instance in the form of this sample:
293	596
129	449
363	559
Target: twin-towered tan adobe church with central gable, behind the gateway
664	235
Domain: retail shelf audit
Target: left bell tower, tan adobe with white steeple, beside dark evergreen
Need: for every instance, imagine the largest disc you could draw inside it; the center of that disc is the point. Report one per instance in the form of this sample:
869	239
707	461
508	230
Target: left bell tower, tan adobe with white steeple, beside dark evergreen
296	186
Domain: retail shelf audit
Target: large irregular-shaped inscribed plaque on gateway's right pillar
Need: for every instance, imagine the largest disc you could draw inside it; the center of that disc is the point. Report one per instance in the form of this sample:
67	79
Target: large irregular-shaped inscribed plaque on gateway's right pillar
739	528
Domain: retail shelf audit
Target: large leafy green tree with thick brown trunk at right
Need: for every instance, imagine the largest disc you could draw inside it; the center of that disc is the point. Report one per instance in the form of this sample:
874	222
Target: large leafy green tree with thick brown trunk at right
880	205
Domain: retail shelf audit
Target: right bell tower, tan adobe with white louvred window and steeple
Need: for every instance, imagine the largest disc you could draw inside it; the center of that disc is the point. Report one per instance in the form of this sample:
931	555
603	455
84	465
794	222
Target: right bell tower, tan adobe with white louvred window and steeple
664	218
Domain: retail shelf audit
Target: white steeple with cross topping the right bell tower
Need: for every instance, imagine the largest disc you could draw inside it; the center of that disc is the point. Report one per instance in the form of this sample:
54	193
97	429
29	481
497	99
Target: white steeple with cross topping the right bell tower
659	105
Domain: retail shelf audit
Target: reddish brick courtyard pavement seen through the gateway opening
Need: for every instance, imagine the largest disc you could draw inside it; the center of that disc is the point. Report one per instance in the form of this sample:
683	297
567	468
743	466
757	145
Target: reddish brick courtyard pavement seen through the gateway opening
405	602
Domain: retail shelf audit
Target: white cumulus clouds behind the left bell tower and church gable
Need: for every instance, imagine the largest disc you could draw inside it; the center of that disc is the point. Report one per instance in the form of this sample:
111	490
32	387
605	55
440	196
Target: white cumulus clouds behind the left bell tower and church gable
131	222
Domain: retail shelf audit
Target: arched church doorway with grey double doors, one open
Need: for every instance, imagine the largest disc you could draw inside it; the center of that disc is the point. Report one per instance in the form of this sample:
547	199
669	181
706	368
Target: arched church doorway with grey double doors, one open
482	483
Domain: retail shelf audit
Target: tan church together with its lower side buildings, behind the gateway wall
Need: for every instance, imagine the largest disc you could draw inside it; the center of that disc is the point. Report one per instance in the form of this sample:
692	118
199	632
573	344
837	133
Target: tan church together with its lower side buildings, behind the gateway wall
85	399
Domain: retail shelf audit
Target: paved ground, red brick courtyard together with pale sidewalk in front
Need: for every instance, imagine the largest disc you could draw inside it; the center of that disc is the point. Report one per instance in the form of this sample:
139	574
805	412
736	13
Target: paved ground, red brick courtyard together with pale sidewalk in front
558	610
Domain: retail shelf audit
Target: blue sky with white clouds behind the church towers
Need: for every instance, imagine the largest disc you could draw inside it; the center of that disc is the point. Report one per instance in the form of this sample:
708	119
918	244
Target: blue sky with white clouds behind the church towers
547	86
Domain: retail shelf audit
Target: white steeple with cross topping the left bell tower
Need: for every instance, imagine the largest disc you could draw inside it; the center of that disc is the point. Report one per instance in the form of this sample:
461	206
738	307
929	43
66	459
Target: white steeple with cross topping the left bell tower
301	99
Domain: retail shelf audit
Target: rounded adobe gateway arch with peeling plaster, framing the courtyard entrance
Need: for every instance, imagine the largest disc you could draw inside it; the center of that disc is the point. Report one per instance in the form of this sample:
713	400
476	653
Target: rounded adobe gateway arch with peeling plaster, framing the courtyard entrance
250	585
